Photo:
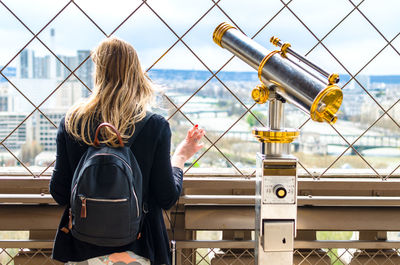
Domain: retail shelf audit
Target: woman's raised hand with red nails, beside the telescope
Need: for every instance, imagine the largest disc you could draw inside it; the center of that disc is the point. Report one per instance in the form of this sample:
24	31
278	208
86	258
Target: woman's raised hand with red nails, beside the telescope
188	147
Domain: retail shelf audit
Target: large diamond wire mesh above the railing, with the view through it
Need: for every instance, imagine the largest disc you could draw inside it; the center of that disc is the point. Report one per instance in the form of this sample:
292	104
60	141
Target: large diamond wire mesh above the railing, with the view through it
177	29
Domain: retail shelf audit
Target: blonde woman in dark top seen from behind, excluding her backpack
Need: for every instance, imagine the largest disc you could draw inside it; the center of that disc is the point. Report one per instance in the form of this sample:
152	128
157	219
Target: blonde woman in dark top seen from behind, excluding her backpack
121	96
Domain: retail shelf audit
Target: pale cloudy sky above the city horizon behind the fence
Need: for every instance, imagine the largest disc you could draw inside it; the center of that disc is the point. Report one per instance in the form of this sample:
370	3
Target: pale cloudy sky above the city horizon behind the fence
348	47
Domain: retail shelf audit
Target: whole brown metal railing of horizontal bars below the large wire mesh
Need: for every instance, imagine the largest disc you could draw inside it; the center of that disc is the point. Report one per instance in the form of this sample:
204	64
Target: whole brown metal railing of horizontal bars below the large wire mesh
220	207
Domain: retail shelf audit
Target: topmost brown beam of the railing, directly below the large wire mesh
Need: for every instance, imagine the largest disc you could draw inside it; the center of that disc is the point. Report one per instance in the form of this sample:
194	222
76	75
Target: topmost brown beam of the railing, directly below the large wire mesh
212	183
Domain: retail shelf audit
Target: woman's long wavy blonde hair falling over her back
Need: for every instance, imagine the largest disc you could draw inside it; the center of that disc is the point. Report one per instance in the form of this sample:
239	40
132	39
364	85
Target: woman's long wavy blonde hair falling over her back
120	96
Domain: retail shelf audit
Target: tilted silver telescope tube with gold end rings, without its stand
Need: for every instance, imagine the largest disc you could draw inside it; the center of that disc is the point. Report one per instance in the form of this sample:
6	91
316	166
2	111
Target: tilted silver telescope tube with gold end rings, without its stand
304	88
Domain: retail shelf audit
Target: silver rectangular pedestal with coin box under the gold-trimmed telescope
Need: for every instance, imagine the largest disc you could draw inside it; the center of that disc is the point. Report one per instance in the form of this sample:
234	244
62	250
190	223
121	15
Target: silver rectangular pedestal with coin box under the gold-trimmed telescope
276	209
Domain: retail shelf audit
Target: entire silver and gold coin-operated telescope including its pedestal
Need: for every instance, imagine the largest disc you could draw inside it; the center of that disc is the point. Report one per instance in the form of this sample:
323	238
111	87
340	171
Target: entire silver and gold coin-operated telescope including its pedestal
285	76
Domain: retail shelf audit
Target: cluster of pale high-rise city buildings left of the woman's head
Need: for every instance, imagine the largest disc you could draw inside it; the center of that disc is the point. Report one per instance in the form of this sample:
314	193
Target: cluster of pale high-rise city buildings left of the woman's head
36	77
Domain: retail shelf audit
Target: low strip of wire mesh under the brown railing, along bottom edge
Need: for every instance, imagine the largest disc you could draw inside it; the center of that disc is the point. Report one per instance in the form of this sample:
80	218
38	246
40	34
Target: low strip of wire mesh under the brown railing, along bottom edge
229	256
